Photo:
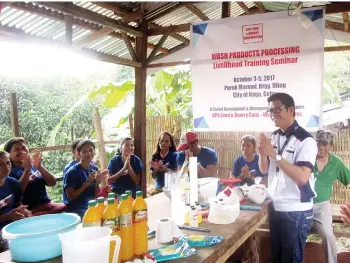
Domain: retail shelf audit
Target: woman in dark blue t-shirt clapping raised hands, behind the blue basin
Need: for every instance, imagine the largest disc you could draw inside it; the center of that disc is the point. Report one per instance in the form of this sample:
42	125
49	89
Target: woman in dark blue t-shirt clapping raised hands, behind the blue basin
33	178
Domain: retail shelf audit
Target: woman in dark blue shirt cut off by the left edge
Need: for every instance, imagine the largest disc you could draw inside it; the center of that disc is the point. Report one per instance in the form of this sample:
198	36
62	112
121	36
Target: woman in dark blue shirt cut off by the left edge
11	208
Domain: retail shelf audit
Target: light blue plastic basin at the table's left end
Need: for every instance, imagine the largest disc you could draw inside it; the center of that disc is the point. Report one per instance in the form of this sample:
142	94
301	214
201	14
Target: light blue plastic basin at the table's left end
35	239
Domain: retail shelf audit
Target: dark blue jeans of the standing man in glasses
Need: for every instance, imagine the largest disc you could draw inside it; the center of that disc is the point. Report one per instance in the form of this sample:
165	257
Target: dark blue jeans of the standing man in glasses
288	233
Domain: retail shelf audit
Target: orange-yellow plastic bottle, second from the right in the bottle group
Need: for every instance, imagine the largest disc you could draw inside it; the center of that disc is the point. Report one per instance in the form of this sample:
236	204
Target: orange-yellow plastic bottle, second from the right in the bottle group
126	232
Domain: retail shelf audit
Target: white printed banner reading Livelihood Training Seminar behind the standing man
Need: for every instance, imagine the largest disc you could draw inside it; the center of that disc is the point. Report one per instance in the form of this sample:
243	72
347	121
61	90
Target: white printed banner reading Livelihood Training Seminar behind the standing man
237	63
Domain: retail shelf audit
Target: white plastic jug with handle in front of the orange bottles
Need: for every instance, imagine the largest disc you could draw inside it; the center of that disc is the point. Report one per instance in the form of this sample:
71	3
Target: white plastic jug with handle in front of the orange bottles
88	245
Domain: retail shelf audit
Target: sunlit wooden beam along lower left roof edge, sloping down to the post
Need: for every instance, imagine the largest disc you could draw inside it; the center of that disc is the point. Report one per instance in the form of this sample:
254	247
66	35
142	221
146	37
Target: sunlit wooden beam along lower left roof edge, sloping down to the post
20	35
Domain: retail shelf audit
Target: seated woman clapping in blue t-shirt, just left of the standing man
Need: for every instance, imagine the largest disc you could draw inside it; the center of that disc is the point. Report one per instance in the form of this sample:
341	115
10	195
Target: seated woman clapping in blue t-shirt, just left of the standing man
246	167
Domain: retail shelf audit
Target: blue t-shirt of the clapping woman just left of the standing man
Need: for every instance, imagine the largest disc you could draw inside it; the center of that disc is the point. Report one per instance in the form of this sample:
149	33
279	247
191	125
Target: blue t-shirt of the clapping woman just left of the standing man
240	162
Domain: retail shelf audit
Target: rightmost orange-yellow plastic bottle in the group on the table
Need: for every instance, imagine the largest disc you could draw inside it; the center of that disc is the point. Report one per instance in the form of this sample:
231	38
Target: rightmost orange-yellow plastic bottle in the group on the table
140	215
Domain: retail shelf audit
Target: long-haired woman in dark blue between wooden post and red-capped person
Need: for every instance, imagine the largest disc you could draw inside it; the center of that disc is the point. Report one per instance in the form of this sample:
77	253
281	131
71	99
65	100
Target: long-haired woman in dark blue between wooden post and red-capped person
163	160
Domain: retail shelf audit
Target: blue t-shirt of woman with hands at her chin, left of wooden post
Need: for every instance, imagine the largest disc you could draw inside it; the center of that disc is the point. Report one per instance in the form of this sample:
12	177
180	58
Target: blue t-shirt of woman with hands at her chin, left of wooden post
125	182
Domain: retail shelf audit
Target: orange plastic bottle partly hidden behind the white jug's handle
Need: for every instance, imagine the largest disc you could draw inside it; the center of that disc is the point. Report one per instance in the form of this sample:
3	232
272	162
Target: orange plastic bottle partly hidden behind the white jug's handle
111	219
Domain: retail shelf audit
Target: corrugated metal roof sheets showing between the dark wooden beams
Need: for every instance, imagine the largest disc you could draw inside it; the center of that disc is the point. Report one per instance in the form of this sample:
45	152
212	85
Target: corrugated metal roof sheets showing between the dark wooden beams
54	28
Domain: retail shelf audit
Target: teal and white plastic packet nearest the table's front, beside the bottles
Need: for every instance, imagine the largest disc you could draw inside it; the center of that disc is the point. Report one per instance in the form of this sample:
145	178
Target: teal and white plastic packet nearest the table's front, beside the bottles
179	250
